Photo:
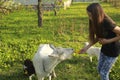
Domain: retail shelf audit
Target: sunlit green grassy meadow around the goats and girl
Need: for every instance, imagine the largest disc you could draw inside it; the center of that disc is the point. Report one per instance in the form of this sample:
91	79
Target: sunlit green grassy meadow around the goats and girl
20	37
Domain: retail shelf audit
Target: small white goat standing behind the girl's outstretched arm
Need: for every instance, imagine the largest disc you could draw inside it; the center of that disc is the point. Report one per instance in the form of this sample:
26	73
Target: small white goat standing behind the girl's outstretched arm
93	51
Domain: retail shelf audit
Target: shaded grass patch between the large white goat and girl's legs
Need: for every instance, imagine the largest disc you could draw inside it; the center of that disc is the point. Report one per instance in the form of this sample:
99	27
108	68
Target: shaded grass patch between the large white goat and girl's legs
78	68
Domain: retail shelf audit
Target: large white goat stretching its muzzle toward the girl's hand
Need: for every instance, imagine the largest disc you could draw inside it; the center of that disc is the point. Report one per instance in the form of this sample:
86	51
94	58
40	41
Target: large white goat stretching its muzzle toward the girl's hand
46	59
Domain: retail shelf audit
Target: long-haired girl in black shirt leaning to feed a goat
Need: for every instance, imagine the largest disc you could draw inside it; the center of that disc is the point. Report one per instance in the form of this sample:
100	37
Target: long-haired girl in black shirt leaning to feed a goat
103	29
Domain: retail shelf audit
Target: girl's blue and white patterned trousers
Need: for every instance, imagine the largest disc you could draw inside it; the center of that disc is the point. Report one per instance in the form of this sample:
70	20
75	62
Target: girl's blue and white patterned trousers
104	65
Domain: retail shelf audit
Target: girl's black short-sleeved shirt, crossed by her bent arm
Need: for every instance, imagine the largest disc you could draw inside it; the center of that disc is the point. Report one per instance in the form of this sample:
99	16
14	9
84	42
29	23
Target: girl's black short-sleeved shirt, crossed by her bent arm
111	49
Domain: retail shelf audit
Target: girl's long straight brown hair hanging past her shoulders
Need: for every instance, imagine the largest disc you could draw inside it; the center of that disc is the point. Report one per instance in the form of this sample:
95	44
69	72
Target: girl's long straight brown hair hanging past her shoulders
98	16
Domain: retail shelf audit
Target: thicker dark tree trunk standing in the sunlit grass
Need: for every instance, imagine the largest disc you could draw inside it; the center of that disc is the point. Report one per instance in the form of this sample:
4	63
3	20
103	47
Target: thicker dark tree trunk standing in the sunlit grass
40	20
